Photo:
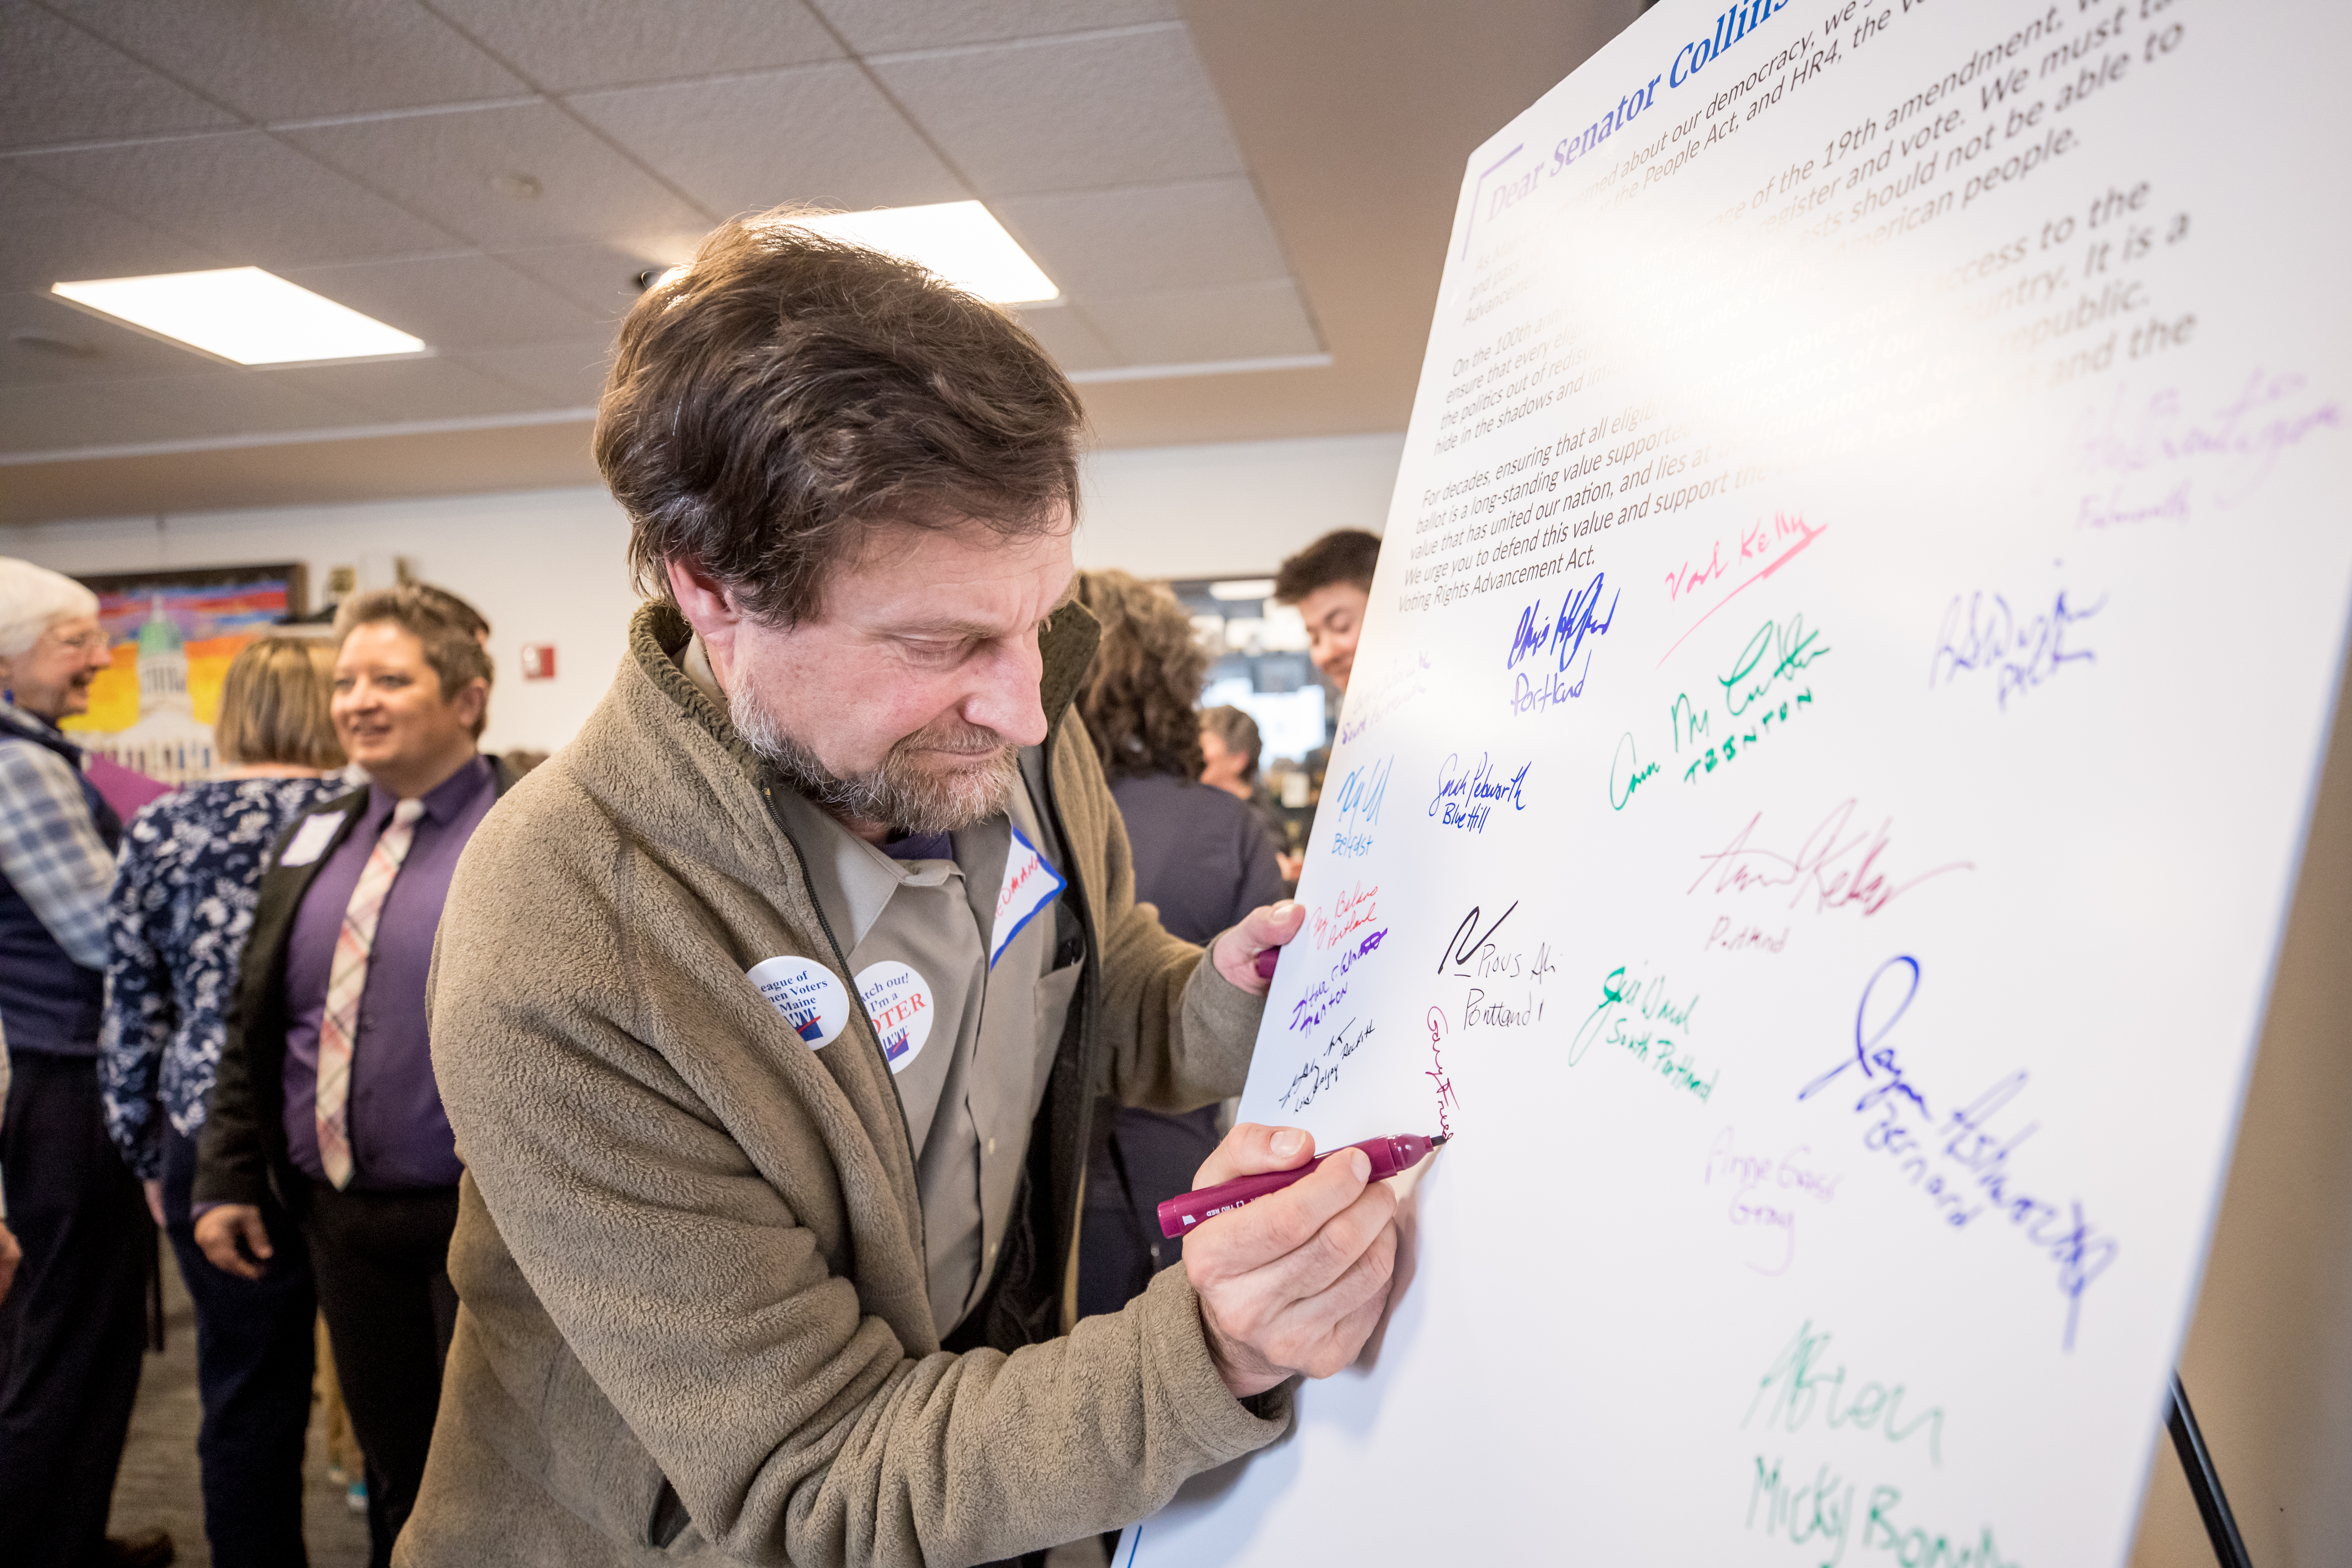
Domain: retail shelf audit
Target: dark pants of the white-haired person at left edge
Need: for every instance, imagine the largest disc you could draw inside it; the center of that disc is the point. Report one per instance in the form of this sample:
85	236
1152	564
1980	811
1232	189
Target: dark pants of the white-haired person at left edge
76	1313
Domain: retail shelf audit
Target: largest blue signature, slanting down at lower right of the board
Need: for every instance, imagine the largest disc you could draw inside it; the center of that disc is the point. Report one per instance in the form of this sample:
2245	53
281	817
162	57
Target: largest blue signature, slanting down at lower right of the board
1979	1155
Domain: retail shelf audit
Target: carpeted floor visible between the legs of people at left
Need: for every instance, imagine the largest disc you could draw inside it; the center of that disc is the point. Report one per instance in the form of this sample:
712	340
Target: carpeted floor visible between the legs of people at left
156	1487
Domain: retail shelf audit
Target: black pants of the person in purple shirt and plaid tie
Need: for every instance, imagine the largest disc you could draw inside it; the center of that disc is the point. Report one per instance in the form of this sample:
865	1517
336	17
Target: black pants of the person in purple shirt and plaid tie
382	1266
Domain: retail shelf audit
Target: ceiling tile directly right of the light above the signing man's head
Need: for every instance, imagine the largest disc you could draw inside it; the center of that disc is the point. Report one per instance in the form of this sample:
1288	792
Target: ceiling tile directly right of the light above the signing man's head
1144	239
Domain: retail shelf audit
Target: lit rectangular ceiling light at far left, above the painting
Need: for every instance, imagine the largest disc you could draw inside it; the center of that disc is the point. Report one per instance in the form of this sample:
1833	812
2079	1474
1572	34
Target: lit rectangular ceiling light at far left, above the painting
243	316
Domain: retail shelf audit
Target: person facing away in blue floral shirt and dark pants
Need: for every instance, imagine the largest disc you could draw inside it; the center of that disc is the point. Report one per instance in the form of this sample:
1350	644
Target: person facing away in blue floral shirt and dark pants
178	920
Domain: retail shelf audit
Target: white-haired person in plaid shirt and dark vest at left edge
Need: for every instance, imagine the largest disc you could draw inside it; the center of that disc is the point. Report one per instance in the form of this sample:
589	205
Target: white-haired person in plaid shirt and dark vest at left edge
76	1209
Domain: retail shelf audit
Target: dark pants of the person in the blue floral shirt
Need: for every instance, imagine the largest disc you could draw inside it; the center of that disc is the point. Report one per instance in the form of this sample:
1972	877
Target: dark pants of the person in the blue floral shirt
255	1355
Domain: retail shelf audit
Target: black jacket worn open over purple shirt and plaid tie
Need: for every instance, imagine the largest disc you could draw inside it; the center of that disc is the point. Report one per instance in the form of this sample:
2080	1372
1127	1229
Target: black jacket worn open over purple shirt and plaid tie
241	1153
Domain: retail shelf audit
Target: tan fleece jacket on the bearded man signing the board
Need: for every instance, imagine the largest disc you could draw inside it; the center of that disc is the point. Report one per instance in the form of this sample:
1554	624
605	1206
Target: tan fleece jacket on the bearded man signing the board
690	1247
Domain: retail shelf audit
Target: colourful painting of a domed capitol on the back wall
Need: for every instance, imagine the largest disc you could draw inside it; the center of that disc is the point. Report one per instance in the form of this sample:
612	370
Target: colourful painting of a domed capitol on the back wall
173	636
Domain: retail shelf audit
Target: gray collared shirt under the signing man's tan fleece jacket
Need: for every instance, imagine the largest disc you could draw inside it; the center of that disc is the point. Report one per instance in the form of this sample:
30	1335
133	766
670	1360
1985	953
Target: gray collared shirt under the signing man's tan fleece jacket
918	937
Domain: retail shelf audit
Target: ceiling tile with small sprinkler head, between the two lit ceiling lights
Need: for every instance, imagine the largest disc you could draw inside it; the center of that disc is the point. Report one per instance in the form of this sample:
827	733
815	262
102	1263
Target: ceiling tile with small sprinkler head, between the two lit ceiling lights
443	166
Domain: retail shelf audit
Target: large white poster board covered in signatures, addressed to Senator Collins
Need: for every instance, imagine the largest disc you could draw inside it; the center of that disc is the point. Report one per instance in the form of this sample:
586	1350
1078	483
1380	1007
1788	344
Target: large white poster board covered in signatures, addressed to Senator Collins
1822	789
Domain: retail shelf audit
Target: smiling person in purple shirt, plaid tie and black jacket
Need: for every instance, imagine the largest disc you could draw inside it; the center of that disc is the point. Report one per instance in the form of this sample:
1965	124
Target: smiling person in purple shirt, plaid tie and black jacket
326	1092
